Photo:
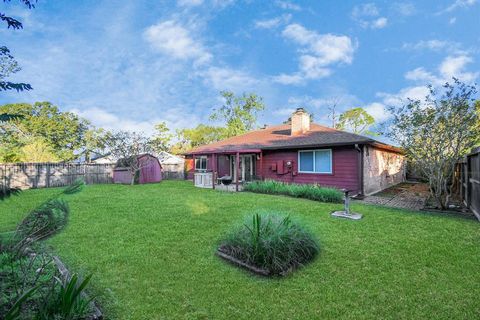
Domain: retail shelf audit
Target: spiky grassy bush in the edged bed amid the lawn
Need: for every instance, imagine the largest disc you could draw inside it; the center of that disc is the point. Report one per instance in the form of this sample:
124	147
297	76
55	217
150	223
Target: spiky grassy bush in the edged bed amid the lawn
273	243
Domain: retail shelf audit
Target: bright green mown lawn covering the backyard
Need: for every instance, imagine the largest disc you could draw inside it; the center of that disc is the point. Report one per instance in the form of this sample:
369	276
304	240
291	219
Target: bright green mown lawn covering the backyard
151	250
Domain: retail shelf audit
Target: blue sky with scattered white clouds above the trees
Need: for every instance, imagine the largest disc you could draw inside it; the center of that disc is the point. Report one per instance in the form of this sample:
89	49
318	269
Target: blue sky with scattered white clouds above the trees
131	64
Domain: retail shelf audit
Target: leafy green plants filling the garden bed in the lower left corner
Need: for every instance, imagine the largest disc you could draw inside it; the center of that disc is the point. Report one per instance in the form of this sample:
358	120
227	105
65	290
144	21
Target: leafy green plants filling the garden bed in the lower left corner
30	282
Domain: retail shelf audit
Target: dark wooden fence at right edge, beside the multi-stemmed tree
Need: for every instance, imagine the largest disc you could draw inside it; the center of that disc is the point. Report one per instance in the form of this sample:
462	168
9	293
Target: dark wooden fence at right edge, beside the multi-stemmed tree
470	181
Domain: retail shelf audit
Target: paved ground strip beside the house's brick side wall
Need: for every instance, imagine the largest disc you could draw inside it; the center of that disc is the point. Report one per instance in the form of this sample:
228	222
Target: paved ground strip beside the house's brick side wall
411	196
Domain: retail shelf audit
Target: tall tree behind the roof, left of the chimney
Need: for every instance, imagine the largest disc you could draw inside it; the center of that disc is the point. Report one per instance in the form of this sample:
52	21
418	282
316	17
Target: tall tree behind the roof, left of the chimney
239	113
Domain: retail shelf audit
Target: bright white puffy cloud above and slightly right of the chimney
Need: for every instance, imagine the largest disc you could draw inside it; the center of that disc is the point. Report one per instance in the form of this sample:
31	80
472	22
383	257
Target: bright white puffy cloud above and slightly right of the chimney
317	53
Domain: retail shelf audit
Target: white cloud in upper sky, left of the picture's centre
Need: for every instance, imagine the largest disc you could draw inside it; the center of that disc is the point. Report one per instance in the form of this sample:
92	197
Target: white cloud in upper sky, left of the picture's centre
175	40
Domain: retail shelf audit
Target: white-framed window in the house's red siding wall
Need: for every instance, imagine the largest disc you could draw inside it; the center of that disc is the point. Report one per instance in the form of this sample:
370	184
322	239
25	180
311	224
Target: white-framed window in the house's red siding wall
315	161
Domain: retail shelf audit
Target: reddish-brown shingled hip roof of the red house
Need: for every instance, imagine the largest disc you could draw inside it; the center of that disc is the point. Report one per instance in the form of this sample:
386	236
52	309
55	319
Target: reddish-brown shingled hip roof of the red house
279	137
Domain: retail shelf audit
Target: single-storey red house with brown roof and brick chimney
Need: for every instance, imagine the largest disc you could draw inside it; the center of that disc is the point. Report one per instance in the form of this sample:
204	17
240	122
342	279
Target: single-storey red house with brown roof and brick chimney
300	152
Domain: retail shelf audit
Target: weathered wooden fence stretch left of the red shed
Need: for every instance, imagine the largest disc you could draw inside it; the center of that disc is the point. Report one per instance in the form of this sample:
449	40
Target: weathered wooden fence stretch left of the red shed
45	175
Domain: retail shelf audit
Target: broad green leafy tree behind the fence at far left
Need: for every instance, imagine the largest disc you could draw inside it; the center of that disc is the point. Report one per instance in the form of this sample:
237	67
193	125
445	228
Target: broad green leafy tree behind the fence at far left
63	131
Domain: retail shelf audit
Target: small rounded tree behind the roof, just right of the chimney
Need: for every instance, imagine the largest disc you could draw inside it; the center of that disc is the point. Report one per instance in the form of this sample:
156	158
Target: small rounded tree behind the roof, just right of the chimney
356	120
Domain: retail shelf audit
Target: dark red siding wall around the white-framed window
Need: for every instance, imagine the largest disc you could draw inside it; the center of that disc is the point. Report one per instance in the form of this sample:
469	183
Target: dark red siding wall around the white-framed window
345	171
